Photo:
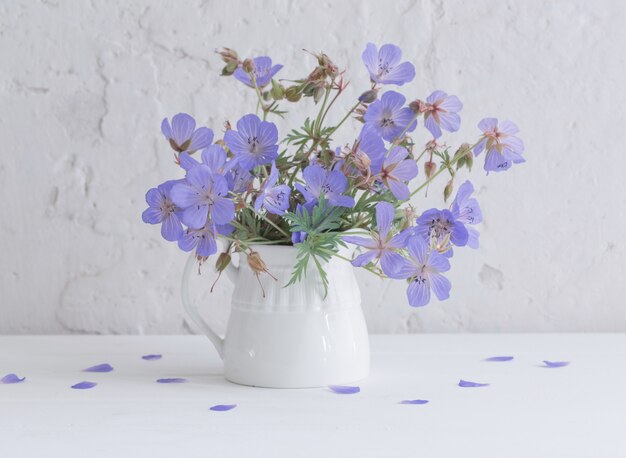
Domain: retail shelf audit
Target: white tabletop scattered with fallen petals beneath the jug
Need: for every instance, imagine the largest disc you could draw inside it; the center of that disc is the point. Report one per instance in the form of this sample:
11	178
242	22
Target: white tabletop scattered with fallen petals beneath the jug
527	411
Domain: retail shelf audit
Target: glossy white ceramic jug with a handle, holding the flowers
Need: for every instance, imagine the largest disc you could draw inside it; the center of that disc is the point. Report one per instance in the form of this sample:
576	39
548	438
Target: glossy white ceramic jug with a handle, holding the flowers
293	337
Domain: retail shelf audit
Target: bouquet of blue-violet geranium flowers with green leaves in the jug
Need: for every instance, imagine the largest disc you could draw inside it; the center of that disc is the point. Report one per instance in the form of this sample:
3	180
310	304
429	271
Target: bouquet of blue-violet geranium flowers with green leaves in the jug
250	188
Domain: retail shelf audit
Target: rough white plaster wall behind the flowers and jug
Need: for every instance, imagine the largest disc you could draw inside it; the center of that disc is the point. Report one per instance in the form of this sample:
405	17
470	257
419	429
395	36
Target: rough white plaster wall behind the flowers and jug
84	86
